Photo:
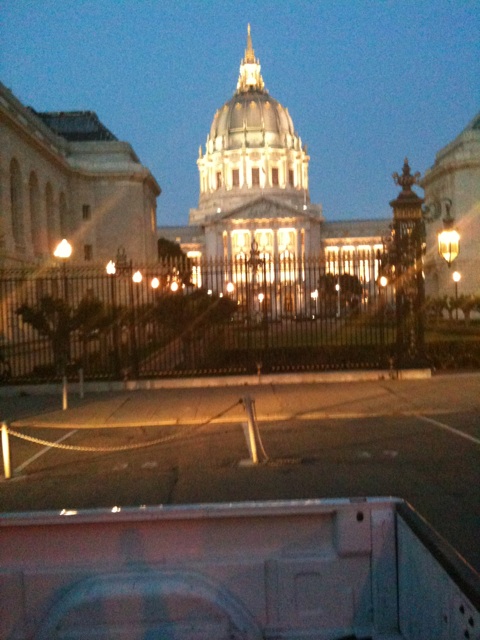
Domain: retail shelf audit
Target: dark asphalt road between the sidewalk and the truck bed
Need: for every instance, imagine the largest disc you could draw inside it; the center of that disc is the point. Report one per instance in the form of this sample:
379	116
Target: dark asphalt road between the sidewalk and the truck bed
431	461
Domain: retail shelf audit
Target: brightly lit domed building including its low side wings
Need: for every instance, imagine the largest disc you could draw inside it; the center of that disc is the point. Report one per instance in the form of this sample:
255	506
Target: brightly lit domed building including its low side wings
254	192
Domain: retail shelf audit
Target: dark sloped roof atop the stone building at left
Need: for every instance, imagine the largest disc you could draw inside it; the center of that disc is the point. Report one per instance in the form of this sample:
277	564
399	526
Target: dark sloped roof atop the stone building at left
76	126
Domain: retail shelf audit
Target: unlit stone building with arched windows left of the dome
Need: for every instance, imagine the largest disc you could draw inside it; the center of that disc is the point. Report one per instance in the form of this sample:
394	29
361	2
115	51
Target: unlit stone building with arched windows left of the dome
65	175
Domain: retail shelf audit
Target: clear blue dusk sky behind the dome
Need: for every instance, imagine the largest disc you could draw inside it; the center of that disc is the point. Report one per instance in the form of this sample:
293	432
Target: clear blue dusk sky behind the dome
367	82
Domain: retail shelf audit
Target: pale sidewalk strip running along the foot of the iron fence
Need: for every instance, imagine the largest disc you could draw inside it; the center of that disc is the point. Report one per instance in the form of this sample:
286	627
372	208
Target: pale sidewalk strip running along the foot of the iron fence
276	399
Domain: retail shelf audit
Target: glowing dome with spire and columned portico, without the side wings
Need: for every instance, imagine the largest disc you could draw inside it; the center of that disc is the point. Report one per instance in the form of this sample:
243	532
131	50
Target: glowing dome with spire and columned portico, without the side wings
254	177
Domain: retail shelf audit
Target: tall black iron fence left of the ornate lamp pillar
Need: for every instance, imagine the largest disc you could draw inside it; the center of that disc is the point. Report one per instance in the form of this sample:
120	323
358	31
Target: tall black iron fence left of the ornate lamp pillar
186	318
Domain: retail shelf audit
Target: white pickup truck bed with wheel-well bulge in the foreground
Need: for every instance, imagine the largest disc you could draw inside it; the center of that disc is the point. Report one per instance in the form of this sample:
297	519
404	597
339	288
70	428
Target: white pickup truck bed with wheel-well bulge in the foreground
299	570
